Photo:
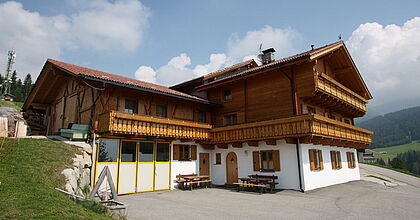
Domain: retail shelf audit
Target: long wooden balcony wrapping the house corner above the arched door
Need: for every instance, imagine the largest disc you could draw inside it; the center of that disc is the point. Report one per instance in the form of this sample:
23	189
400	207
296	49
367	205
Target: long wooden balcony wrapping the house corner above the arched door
312	129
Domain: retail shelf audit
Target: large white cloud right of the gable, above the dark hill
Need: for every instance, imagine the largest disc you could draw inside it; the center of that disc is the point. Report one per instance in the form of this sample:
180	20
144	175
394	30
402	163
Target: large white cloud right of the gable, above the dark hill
389	59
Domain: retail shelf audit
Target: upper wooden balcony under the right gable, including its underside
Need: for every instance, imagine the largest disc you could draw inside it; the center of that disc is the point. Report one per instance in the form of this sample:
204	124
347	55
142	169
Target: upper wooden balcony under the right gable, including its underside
332	94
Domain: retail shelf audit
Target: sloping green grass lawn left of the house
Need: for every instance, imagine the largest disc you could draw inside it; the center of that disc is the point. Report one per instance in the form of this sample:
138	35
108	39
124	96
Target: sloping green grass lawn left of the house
29	172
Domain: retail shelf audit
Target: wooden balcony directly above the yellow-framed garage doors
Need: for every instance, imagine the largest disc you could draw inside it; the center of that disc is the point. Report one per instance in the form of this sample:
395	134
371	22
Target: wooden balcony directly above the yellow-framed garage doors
141	125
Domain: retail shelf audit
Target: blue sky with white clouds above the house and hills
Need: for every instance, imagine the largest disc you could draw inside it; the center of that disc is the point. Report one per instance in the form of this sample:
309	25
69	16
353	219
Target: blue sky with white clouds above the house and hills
168	42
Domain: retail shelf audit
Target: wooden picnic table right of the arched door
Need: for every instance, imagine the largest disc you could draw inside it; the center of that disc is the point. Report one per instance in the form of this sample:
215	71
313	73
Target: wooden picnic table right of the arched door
261	182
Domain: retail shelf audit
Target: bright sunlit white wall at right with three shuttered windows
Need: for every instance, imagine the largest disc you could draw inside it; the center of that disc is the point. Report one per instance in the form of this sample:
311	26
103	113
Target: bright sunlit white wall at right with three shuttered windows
327	176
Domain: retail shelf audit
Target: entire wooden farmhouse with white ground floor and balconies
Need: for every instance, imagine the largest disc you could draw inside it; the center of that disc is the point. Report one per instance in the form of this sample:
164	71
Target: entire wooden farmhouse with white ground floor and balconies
292	118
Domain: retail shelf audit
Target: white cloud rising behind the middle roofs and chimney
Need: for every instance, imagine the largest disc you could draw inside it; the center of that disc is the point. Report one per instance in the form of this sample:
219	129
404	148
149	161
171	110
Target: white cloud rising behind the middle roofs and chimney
239	48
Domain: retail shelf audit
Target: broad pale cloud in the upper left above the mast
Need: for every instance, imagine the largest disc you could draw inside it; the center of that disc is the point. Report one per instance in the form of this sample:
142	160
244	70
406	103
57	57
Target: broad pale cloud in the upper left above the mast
99	24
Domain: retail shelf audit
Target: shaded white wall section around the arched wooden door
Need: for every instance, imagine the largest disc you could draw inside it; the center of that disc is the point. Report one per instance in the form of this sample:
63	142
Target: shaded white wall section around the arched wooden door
288	175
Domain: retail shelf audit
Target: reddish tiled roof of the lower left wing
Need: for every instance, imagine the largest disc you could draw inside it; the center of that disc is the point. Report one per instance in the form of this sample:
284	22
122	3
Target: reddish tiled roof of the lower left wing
97	75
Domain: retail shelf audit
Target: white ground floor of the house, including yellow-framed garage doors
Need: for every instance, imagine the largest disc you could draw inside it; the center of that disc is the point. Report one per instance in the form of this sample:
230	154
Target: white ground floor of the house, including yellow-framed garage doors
144	165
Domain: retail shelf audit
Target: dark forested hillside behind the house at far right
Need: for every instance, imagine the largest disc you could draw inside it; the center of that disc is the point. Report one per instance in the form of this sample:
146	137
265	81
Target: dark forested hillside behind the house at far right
400	127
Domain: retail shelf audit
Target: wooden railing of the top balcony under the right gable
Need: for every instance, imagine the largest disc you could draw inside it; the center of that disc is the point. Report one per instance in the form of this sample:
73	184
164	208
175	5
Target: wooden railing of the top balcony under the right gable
333	88
